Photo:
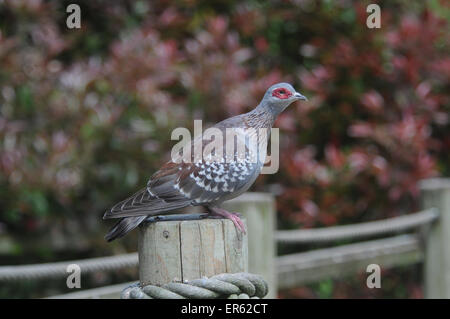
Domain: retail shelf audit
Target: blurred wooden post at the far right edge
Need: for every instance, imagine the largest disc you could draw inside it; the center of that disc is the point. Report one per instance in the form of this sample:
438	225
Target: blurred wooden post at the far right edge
436	193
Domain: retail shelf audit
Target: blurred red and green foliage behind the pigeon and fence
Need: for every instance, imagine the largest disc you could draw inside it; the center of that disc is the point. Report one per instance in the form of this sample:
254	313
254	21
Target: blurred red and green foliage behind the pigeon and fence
86	115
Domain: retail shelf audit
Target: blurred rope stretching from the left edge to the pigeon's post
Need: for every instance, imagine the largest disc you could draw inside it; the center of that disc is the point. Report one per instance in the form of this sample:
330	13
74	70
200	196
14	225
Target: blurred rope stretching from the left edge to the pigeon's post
59	269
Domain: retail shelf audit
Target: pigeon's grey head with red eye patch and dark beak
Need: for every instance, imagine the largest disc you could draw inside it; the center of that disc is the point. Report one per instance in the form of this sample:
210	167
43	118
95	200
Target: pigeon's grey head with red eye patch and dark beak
279	96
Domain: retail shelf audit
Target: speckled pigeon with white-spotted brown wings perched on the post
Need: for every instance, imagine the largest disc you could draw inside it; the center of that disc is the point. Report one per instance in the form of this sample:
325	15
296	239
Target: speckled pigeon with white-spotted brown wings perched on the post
212	175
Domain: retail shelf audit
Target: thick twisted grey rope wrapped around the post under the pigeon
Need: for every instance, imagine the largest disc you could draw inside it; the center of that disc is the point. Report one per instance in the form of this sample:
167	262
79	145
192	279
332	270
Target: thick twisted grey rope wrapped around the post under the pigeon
224	286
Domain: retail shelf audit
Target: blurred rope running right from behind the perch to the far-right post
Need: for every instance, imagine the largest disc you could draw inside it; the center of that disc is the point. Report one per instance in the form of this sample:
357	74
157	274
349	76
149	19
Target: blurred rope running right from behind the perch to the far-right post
391	225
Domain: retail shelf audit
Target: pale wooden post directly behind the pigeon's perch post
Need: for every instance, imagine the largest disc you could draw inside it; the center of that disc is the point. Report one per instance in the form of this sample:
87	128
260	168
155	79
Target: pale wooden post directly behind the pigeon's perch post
260	212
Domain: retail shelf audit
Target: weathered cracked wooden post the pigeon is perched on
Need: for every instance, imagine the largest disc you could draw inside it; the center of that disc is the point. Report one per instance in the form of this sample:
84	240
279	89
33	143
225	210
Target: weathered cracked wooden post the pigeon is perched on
185	250
